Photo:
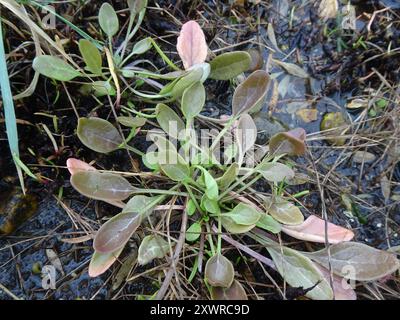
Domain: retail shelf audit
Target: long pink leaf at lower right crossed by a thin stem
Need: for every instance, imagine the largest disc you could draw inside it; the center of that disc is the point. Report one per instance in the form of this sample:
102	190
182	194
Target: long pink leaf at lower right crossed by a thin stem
313	229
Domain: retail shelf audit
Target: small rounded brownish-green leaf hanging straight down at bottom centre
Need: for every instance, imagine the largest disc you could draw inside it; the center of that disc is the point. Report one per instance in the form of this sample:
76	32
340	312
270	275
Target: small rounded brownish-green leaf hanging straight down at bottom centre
219	271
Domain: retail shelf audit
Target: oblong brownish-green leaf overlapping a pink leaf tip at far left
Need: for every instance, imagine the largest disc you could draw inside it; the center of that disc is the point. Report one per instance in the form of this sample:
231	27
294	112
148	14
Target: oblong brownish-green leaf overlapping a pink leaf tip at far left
101	186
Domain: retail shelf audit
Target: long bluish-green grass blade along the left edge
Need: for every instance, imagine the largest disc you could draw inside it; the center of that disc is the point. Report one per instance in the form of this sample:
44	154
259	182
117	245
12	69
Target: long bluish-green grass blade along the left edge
8	104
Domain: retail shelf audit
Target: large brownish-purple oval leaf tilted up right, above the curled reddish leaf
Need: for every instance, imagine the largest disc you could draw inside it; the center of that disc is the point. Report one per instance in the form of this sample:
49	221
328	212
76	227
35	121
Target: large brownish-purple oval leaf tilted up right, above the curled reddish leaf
249	95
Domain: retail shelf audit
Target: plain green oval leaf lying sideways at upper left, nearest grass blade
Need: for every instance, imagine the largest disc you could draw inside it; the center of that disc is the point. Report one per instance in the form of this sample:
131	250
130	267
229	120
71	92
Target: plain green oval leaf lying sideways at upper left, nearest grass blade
54	68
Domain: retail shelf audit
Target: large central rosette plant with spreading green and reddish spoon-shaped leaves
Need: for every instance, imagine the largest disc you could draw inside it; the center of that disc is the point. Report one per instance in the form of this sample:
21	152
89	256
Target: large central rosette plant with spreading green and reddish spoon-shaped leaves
210	196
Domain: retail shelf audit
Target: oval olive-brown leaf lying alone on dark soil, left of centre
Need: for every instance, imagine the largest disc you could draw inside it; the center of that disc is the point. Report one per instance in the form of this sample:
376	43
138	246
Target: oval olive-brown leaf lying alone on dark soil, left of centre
98	134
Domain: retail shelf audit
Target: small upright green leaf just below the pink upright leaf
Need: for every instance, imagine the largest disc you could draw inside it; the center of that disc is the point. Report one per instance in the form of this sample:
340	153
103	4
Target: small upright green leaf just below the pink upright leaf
193	100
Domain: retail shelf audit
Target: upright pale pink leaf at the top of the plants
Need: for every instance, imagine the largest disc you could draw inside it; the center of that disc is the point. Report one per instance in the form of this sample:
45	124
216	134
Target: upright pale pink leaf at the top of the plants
191	45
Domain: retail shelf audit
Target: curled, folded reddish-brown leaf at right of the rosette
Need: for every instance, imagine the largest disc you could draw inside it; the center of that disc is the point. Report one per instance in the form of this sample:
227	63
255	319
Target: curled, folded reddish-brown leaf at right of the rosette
291	142
